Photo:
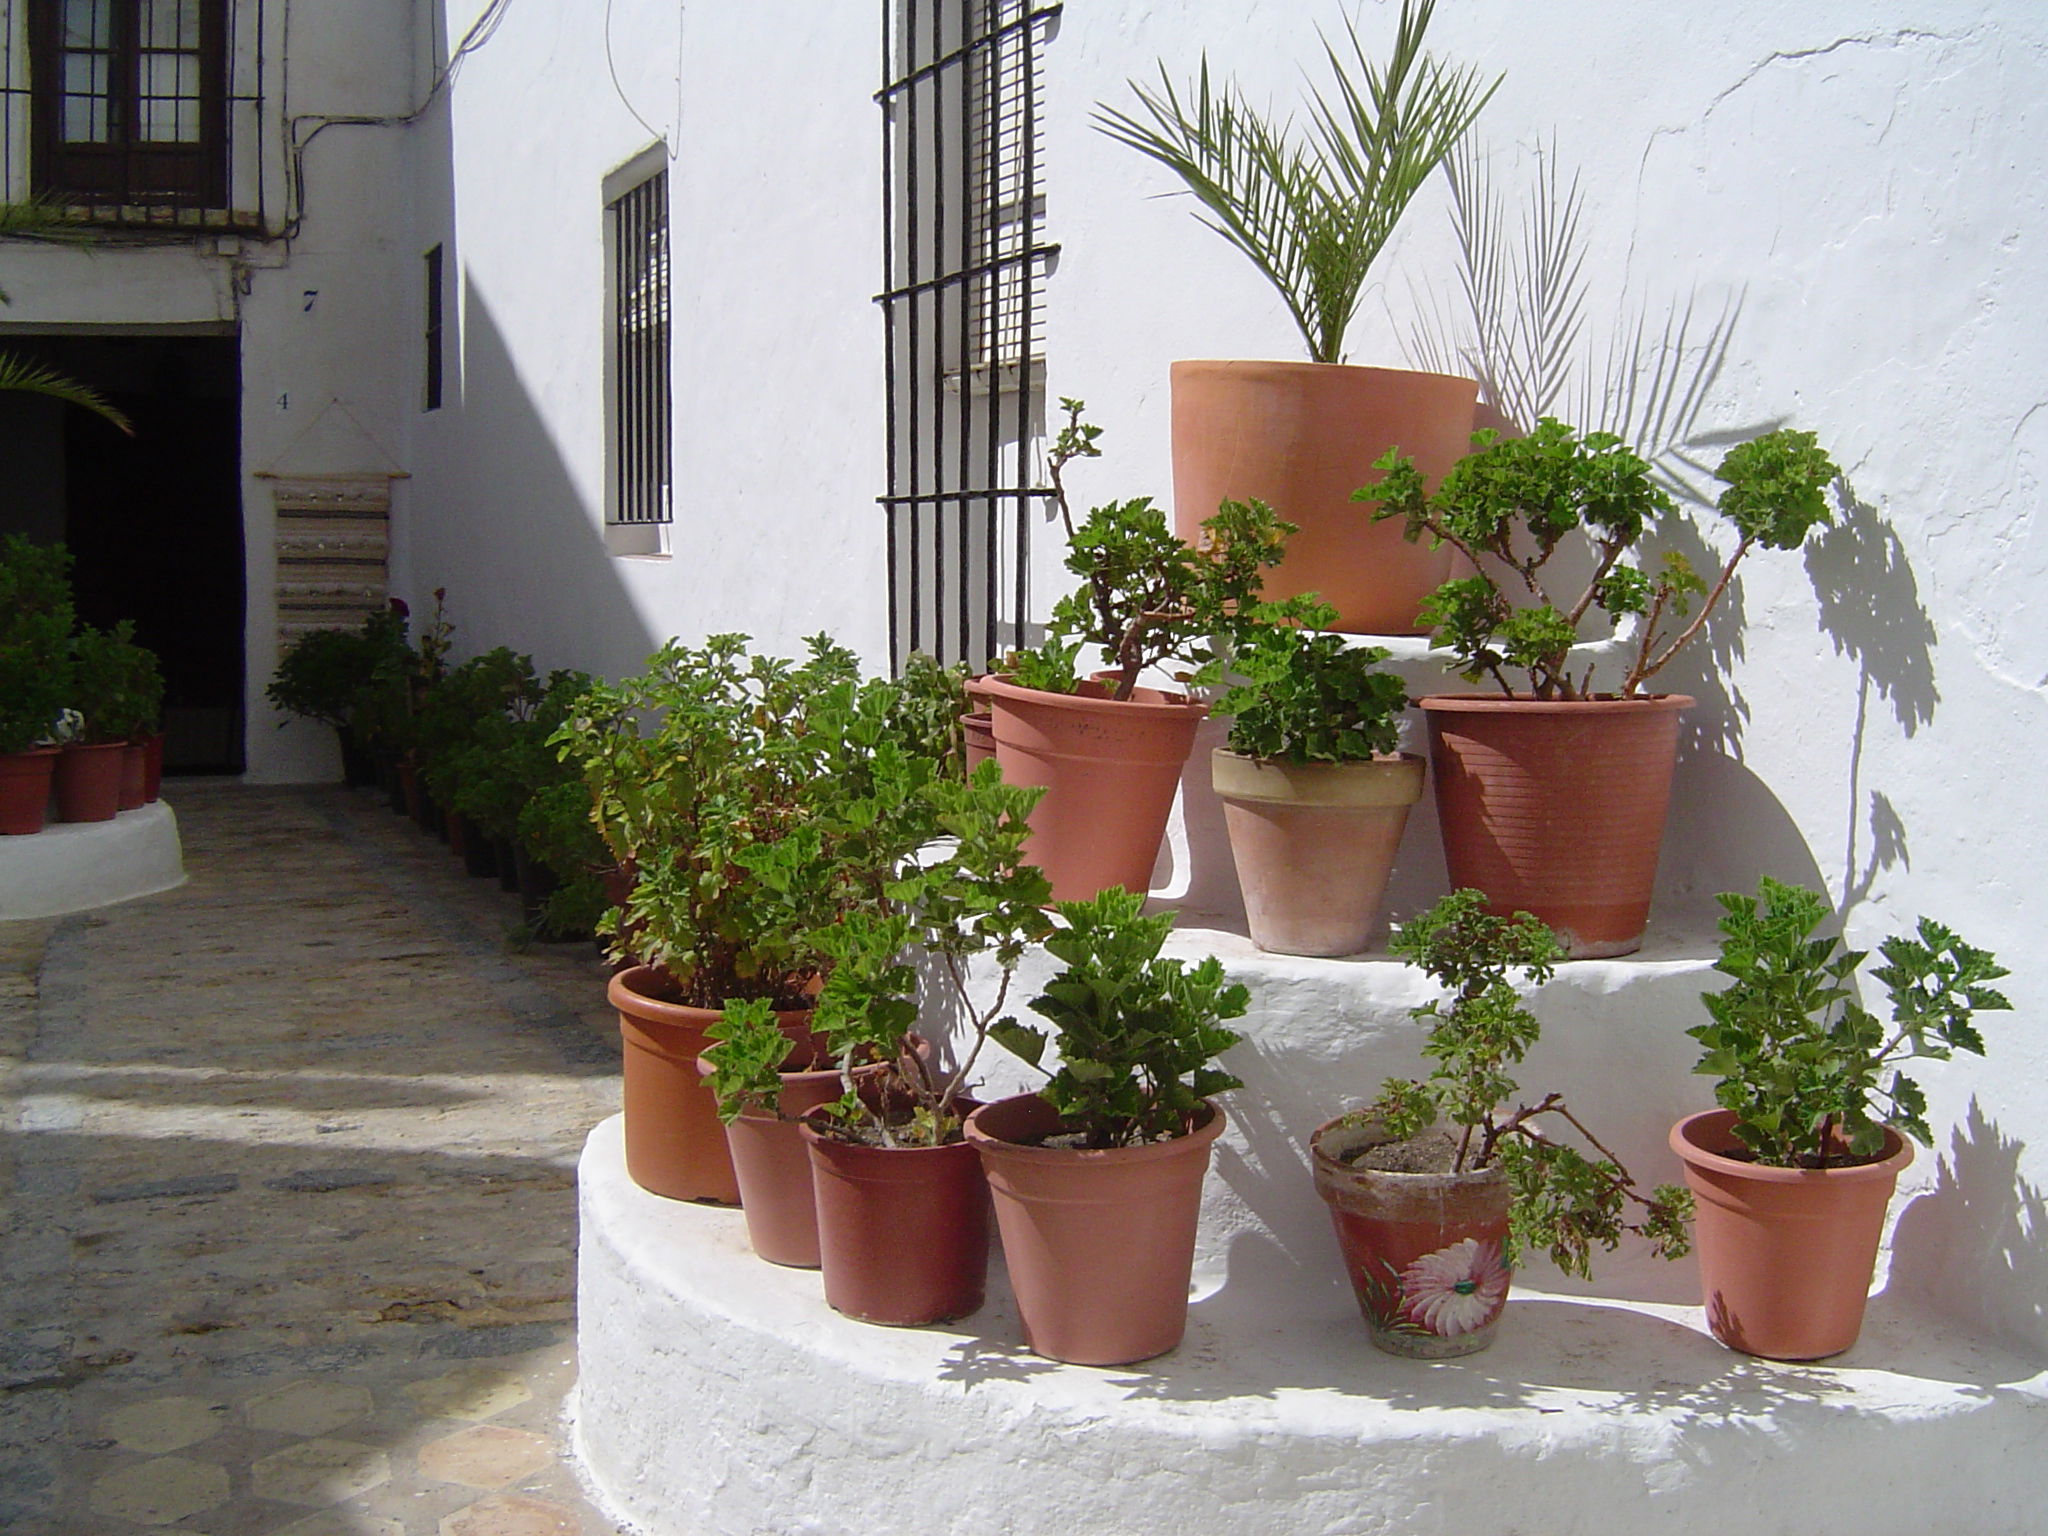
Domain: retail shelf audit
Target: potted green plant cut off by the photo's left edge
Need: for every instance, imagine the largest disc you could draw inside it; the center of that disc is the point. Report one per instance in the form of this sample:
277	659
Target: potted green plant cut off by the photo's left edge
36	673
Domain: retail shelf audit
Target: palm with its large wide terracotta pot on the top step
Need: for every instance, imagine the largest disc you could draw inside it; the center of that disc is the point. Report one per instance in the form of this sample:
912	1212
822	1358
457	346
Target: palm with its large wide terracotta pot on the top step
1312	212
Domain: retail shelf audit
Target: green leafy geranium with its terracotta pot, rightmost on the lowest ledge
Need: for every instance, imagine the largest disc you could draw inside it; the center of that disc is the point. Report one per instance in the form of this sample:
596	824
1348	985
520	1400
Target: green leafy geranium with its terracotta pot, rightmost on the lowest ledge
1797	1166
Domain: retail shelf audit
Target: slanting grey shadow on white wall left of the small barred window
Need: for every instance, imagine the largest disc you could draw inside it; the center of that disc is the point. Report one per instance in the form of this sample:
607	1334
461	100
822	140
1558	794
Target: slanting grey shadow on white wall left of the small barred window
505	527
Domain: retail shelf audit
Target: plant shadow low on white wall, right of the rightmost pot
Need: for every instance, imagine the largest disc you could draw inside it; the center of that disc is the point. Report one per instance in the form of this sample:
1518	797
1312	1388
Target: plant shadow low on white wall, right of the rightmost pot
1975	1246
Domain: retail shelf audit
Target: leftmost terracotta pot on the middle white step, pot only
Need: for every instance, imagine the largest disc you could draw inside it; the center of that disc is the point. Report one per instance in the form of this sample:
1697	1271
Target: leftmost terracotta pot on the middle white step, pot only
1109	773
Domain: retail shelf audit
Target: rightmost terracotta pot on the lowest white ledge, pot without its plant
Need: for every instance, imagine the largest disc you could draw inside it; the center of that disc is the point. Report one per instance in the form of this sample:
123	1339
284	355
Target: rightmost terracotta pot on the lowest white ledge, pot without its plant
1785	1252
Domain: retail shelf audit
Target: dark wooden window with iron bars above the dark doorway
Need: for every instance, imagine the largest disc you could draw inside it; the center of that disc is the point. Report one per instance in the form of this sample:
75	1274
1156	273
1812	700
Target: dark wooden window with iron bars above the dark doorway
136	114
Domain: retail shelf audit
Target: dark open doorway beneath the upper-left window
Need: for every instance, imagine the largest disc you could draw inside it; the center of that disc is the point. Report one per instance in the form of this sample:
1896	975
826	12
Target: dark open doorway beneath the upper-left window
155	521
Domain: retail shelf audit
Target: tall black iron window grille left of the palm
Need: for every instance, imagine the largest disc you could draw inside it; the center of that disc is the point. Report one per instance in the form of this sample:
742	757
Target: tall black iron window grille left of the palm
964	308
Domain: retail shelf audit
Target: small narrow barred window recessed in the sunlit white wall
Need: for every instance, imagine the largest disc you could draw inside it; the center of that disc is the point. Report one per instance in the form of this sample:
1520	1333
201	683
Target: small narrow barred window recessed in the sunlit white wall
640	462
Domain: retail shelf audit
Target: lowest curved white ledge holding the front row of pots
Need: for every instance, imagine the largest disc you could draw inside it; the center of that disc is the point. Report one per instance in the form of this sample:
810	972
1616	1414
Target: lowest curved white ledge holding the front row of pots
722	1396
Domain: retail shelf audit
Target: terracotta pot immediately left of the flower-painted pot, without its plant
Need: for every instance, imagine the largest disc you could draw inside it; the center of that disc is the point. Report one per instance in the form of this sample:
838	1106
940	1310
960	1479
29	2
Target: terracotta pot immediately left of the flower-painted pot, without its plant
1101	1244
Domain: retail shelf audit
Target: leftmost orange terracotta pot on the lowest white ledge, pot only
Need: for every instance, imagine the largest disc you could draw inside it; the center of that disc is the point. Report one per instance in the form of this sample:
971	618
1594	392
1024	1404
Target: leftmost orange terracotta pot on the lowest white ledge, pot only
675	1142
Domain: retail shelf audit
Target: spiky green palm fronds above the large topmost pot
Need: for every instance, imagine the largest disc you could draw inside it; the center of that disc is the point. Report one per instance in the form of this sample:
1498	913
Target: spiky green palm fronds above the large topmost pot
1314	212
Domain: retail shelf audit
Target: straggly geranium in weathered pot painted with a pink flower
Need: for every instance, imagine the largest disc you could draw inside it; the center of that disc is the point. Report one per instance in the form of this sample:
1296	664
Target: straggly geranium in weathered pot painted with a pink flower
1433	1220
